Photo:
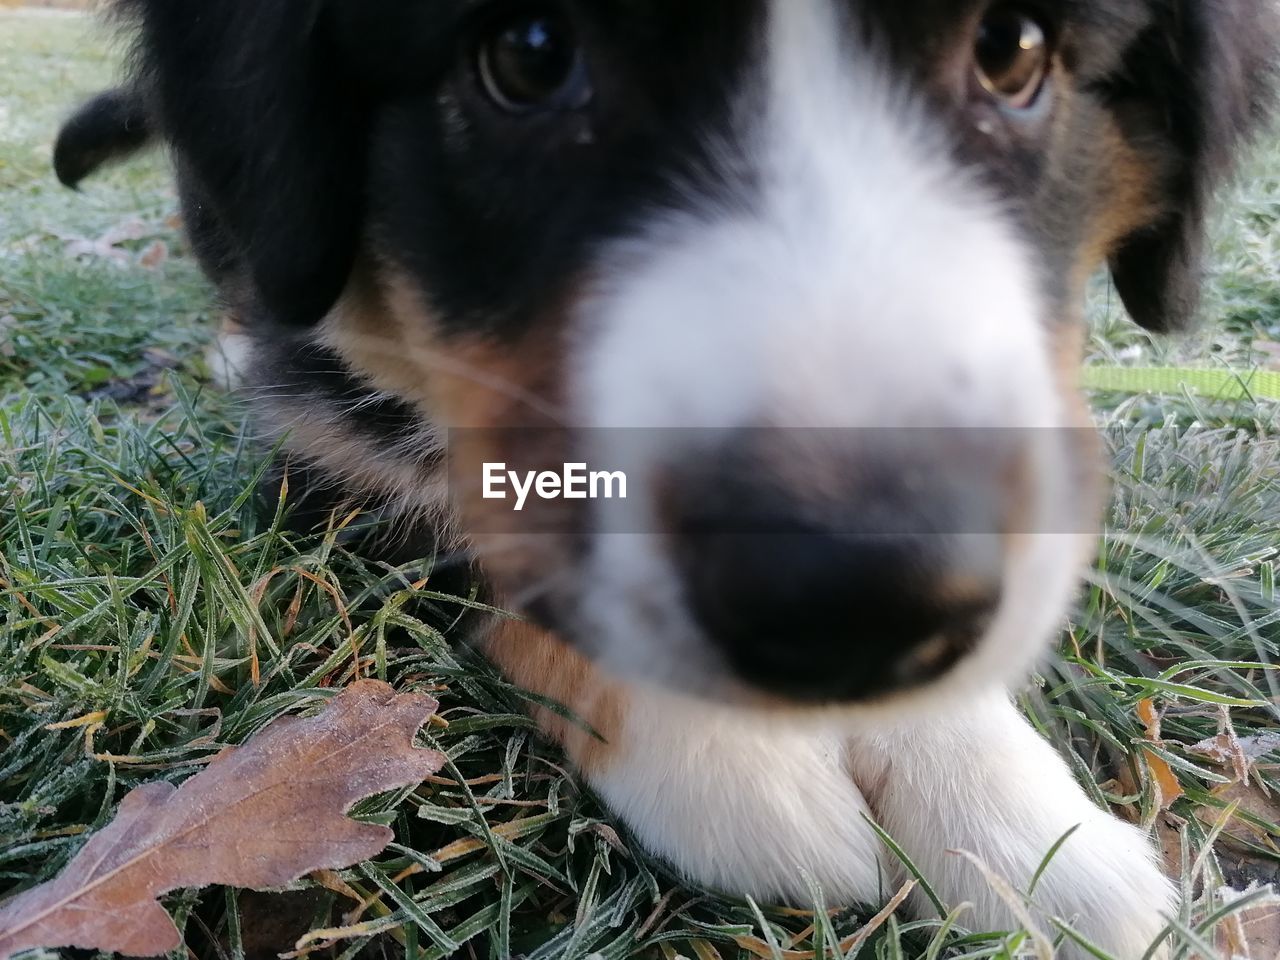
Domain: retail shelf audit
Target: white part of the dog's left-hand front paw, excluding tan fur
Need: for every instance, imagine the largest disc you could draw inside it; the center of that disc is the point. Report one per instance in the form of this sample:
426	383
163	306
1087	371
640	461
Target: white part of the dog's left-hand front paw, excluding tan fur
740	807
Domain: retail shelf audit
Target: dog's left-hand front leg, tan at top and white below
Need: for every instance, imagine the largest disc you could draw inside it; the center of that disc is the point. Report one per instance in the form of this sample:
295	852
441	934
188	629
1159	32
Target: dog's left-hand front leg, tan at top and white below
734	802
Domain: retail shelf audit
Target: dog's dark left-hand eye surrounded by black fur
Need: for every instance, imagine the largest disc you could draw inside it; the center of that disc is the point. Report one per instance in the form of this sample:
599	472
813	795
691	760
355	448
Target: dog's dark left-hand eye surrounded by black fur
533	62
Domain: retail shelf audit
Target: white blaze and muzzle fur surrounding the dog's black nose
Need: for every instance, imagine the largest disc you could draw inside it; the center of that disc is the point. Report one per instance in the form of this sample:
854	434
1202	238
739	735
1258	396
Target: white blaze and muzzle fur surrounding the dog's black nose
868	282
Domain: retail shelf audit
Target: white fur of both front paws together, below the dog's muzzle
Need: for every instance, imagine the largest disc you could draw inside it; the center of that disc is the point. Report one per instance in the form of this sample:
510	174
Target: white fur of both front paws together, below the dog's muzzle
749	804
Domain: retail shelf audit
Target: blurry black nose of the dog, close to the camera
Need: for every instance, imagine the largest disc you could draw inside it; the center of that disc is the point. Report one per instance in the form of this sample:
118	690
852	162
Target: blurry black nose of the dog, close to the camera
839	606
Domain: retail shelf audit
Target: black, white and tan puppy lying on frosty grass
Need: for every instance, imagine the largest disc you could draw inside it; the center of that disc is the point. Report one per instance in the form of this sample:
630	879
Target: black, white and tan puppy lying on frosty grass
813	272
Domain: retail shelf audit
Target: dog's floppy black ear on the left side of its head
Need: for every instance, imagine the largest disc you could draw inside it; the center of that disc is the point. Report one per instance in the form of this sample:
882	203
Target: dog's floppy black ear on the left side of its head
268	126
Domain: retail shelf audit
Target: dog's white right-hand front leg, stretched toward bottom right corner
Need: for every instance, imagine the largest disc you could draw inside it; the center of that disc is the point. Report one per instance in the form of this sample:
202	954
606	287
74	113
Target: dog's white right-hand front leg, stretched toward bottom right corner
982	780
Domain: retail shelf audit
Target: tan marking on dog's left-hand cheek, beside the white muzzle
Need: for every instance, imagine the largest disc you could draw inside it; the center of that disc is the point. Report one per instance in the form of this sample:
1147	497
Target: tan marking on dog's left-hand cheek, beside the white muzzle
492	403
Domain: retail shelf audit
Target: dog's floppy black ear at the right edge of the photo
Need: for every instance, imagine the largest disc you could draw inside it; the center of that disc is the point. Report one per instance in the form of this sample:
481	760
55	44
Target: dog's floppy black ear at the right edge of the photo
1196	86
